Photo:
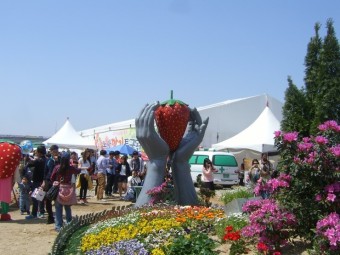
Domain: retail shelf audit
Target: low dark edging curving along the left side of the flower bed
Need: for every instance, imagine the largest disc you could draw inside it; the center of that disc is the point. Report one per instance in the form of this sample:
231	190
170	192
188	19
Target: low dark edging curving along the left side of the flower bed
79	221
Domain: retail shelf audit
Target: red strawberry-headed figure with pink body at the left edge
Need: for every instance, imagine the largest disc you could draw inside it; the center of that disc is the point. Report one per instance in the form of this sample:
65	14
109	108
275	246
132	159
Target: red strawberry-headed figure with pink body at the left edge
10	155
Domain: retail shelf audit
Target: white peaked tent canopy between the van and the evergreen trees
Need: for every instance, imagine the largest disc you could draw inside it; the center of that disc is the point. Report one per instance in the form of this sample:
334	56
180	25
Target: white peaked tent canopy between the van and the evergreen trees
259	136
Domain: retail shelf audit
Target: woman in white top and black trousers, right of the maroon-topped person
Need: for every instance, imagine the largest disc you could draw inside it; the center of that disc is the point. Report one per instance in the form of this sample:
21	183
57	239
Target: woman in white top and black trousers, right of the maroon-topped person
84	164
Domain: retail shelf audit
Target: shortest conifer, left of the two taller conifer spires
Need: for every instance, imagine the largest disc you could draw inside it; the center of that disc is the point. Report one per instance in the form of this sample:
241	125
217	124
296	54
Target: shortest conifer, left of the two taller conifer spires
295	110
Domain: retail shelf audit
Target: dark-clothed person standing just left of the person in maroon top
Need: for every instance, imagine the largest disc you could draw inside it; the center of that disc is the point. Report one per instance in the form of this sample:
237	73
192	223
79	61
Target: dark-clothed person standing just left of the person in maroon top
47	184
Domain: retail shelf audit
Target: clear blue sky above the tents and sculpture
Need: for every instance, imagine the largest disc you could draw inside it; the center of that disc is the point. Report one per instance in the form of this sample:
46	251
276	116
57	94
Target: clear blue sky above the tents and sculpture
99	62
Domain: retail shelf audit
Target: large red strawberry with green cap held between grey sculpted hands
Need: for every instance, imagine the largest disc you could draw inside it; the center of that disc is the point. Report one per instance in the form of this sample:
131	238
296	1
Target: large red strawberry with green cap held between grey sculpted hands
172	117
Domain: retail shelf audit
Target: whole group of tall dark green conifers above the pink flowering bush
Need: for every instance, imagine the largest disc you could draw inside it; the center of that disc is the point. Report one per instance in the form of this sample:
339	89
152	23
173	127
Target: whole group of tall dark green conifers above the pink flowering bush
319	99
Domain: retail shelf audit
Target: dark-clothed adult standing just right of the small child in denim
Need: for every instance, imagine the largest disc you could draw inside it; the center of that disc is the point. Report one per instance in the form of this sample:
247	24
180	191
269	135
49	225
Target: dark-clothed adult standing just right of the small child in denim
37	178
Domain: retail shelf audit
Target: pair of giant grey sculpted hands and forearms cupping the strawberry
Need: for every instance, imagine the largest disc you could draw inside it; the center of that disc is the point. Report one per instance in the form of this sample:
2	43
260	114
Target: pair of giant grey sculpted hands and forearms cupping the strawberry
158	152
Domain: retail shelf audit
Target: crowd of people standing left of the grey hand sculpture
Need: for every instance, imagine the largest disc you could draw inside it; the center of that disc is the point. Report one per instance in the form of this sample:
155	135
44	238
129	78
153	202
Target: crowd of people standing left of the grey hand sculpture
108	174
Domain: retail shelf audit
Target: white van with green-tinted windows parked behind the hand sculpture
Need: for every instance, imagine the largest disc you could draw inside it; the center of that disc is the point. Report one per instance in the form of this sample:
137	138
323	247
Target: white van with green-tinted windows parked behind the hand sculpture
224	162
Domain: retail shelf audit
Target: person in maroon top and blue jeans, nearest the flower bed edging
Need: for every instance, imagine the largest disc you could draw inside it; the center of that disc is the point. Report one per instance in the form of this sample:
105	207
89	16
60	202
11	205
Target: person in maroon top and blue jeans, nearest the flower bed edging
62	174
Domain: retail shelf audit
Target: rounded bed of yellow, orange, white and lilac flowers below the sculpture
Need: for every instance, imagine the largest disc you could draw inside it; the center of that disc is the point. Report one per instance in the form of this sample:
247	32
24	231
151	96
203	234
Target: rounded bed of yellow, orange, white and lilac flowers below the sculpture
160	229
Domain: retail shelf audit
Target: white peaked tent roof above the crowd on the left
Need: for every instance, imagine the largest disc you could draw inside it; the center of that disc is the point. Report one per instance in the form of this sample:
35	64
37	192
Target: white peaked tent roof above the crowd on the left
68	137
